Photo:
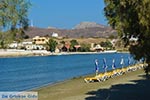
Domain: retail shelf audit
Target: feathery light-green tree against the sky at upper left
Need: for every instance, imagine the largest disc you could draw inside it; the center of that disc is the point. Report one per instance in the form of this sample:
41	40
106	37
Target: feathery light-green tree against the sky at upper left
14	17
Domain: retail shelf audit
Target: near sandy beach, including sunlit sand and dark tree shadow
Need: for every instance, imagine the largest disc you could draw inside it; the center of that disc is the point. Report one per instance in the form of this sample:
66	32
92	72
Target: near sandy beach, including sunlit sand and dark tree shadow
131	86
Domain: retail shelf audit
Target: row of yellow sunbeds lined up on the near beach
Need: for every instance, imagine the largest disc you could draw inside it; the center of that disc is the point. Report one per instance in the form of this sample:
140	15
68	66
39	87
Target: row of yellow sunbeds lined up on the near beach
114	73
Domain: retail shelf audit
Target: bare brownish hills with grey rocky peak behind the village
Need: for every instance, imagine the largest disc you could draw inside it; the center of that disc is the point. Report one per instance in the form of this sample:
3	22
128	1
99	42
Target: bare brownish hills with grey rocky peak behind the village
84	29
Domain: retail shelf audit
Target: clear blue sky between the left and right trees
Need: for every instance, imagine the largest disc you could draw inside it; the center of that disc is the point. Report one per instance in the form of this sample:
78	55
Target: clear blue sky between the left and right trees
65	14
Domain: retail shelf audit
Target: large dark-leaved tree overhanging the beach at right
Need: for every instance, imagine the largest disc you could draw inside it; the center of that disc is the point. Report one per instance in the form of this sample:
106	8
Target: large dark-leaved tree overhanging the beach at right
131	18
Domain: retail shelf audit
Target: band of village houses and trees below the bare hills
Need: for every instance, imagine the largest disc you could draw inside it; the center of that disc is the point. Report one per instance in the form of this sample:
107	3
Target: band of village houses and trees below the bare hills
66	44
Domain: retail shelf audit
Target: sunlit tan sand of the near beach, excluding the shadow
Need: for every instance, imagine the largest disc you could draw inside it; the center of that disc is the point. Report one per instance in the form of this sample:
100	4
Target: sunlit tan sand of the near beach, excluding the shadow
77	89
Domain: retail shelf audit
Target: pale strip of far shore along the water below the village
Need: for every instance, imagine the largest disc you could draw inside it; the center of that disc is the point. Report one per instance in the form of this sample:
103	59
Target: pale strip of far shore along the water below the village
27	53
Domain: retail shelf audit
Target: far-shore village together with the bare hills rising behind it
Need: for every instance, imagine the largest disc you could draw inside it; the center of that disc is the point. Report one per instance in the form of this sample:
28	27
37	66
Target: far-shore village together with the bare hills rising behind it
39	41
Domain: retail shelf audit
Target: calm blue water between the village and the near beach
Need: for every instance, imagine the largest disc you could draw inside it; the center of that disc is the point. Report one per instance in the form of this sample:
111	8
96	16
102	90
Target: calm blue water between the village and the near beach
25	73
